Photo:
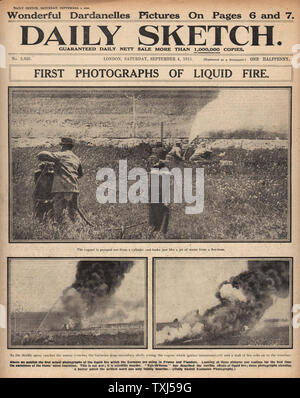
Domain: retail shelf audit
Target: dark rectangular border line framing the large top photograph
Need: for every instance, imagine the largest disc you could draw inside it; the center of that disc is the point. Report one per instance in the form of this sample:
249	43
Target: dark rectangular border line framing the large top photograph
10	198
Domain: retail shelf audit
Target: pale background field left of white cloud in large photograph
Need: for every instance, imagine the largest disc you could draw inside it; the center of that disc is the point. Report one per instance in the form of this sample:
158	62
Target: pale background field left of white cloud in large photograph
103	112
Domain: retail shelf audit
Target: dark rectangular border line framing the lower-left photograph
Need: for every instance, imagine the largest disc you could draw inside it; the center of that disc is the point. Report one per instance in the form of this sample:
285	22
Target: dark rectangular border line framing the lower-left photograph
100	347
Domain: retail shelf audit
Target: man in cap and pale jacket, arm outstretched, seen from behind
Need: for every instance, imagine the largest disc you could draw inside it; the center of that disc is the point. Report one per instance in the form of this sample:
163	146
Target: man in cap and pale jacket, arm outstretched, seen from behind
65	182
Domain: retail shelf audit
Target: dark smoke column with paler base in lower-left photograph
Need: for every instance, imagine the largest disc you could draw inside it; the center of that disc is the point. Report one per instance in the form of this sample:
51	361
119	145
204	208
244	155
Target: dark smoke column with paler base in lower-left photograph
95	284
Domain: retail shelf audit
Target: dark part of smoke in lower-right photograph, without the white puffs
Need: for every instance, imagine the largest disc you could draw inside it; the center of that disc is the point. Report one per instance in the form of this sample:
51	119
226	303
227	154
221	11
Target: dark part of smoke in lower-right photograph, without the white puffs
262	281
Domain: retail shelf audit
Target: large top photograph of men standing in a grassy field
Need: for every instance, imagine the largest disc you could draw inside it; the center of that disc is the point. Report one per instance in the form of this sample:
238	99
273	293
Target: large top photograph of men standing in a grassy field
82	160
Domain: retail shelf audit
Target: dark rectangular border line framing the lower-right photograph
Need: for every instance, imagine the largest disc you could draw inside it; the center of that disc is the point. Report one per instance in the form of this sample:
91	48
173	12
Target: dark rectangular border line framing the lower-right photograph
166	347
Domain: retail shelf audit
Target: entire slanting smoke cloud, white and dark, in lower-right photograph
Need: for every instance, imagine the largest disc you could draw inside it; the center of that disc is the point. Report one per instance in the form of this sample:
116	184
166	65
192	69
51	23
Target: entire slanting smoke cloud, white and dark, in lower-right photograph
243	301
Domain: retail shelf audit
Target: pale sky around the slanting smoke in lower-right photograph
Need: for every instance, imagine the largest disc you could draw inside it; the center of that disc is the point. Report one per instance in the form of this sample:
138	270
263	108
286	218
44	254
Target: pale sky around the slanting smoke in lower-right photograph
184	285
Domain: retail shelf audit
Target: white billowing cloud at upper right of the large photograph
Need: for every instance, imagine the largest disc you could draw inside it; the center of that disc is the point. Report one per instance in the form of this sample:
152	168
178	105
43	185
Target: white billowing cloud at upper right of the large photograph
244	109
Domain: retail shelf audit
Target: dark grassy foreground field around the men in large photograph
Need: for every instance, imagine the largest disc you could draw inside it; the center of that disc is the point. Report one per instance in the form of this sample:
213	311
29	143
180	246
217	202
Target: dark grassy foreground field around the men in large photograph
245	201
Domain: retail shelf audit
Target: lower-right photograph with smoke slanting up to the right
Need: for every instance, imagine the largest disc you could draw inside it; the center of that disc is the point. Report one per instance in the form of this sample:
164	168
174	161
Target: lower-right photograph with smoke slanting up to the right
222	303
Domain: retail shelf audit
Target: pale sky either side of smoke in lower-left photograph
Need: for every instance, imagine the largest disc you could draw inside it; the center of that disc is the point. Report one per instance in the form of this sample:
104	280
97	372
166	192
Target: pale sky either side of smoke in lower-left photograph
35	284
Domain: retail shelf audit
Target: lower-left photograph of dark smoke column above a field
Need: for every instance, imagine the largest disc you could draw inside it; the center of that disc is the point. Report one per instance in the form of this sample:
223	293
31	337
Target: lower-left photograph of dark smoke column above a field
77	303
